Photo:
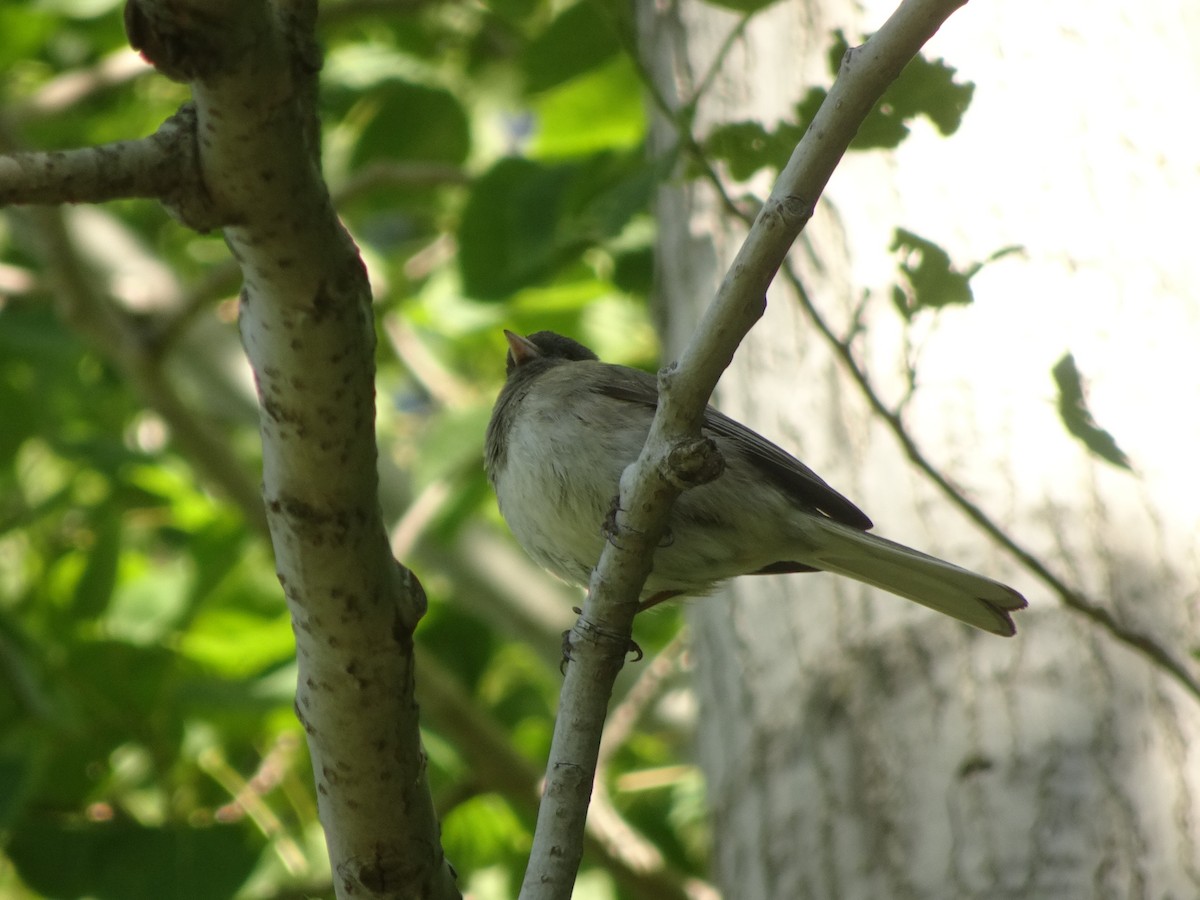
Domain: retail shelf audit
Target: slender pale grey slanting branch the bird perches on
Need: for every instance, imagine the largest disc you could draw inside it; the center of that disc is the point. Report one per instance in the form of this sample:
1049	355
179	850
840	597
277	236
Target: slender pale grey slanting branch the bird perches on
649	489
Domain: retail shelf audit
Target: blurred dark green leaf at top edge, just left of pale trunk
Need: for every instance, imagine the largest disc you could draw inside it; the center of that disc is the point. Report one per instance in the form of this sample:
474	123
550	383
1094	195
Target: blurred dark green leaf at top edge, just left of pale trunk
579	39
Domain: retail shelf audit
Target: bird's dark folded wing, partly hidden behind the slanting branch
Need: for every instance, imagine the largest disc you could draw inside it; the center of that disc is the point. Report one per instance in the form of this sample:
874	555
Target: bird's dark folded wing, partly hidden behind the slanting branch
806	488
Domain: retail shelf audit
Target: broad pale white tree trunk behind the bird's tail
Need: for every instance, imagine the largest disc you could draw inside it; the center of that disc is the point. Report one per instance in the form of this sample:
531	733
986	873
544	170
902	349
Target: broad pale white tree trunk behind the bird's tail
857	746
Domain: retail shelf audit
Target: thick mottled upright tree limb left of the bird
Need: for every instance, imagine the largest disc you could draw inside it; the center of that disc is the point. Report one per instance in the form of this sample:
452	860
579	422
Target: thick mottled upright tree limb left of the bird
307	325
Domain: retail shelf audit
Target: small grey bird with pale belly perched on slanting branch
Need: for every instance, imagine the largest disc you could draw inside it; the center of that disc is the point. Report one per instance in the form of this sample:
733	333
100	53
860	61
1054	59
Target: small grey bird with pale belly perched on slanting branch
567	425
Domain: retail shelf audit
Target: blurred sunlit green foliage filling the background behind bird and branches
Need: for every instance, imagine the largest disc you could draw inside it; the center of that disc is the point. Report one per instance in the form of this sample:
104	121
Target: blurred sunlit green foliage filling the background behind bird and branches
490	163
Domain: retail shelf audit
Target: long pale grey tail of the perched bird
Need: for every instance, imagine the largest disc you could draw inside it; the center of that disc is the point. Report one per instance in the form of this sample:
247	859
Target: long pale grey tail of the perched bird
916	577
